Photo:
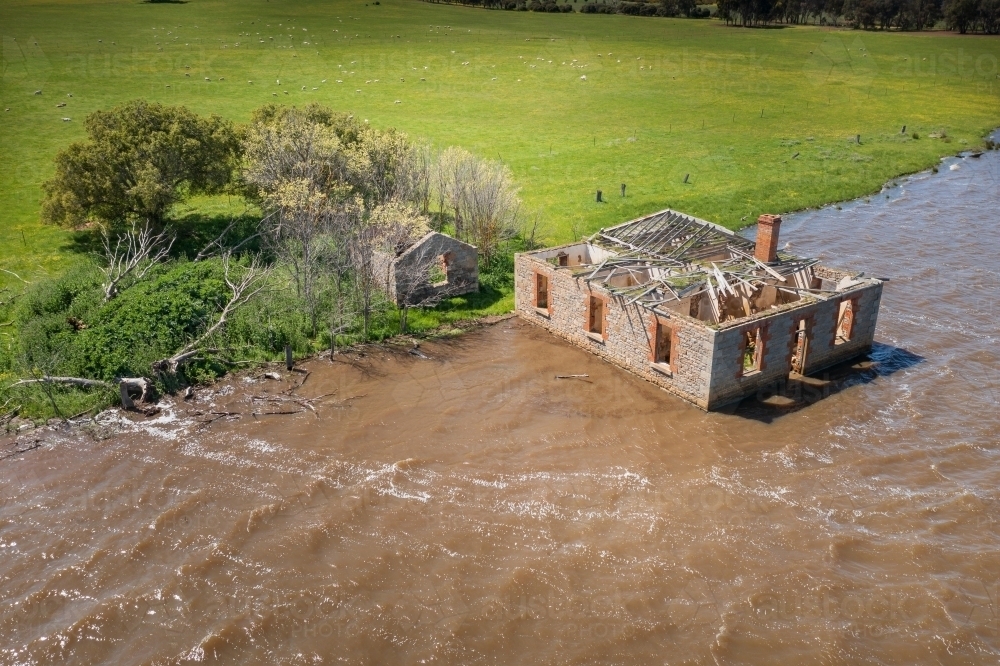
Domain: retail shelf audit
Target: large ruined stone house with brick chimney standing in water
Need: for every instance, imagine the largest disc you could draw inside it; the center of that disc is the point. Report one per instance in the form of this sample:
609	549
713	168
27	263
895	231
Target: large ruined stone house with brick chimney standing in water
696	309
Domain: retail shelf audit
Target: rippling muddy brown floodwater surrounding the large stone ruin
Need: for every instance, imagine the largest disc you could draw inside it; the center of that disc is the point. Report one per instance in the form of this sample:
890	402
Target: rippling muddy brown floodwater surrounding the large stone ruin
469	507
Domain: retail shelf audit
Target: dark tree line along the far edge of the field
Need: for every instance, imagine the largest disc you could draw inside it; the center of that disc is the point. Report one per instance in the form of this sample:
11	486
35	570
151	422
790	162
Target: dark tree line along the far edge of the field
963	16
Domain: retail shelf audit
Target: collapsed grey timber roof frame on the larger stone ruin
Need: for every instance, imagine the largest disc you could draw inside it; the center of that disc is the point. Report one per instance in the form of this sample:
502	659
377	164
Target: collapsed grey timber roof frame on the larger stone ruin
672	252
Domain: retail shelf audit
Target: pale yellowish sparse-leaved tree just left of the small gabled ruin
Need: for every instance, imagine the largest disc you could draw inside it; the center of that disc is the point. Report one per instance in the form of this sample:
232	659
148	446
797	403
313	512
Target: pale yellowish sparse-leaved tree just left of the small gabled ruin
339	191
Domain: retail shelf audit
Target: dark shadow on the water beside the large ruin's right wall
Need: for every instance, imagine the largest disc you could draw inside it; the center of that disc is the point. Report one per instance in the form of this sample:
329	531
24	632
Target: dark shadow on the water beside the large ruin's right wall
798	392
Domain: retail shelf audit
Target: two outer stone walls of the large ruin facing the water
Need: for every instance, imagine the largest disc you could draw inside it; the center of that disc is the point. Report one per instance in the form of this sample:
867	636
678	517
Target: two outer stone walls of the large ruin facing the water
706	361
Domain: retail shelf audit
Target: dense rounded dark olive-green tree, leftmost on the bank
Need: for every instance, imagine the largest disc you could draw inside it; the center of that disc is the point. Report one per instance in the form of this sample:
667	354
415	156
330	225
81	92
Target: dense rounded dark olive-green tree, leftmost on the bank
138	160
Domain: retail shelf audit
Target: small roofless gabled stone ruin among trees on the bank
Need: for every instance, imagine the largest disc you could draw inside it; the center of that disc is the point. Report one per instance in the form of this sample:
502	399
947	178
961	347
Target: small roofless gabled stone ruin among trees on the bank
435	266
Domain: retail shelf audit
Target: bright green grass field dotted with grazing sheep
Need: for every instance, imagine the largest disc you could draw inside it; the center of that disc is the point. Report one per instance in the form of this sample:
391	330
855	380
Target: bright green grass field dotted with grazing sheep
762	120
